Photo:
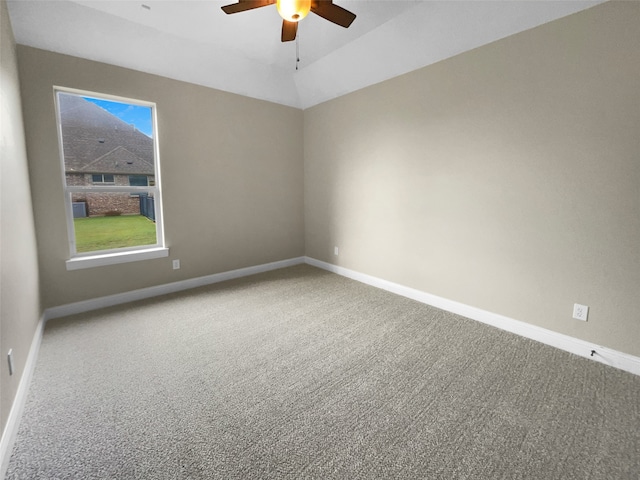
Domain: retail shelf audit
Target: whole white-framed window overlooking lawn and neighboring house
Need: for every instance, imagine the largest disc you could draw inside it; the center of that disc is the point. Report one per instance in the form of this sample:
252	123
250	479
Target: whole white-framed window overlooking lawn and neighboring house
111	177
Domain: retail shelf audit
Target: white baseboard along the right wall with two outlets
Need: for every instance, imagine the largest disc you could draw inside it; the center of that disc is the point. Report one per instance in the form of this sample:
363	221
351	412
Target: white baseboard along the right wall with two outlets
605	355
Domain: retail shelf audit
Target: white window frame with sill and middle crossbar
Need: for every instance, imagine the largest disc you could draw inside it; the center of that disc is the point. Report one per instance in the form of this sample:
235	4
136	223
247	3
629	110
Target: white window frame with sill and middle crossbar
79	260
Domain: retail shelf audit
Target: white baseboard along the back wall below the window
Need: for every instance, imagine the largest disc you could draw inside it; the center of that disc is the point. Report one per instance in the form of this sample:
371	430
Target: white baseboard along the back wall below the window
126	297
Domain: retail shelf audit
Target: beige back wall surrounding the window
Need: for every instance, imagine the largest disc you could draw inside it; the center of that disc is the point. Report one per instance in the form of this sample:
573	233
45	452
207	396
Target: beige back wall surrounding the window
232	177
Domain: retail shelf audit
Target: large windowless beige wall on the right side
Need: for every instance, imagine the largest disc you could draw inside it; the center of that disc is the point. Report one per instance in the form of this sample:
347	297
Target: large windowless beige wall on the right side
506	178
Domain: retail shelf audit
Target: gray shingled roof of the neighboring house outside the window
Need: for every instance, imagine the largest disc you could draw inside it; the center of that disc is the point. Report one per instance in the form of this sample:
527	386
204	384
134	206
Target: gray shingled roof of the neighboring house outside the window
95	141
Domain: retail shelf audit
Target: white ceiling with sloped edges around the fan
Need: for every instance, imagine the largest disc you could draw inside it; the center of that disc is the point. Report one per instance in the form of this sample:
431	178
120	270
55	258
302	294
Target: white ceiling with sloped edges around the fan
195	41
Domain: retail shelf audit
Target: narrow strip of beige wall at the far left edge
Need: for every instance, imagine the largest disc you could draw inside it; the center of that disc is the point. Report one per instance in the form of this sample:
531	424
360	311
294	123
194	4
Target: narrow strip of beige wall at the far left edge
19	294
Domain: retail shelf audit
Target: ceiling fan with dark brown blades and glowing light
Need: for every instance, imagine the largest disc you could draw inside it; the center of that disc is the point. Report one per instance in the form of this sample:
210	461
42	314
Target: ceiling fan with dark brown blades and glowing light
292	11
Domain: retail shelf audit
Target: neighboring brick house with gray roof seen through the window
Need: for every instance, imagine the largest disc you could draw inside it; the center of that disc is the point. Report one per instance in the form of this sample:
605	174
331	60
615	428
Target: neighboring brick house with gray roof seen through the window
101	149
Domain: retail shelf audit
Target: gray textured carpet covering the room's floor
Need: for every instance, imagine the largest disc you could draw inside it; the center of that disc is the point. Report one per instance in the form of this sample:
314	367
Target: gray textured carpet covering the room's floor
299	373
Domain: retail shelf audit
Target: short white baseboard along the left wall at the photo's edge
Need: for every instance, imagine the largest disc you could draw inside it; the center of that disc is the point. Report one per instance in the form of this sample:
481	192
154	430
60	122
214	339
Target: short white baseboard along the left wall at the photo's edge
13	421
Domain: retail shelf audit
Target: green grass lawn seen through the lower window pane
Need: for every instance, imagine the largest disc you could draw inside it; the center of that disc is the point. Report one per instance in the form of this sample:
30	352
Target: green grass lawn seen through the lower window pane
103	233
